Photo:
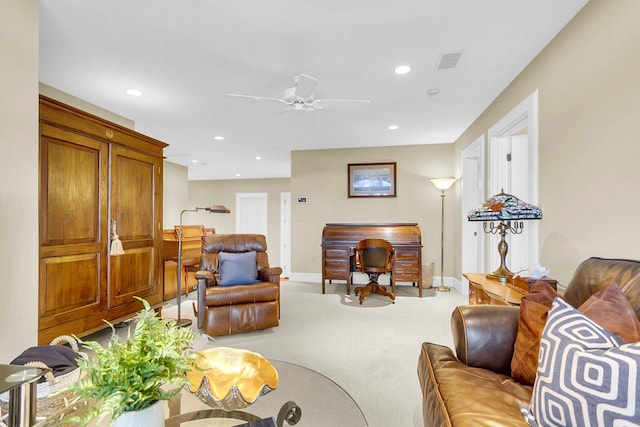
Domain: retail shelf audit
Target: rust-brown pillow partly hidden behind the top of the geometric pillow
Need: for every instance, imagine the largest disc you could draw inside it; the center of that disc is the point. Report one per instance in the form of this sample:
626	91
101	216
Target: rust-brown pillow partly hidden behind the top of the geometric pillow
611	309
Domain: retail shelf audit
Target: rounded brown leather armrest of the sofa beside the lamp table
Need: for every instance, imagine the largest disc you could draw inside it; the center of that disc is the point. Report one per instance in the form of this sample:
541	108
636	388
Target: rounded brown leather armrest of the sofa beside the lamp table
484	335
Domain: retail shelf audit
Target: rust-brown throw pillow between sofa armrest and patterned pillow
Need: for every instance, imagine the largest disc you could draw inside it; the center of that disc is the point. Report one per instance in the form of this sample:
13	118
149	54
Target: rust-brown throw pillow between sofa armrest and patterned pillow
534	308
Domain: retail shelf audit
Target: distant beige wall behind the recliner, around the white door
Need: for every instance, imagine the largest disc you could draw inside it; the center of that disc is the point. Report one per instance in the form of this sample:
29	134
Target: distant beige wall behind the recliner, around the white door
223	192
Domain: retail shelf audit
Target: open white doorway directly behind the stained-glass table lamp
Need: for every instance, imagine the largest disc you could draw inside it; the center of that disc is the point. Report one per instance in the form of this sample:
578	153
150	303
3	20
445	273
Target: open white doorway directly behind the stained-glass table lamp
513	167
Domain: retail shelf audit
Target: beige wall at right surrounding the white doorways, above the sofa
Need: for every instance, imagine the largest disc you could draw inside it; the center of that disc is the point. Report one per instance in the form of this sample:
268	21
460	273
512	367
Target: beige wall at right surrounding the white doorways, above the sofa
589	115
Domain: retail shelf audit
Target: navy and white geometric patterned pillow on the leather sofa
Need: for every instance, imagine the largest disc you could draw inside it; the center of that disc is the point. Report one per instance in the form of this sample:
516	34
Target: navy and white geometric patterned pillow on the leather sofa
586	375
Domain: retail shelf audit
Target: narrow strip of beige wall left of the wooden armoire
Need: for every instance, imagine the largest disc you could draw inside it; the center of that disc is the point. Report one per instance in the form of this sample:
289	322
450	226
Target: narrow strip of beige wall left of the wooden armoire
18	177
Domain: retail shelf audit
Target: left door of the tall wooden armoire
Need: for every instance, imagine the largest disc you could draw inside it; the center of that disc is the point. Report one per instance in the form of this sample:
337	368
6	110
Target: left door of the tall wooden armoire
73	183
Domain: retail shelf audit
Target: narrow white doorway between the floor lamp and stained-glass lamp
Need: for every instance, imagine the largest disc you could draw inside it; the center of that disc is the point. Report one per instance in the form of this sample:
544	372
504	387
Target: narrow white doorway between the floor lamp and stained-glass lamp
472	161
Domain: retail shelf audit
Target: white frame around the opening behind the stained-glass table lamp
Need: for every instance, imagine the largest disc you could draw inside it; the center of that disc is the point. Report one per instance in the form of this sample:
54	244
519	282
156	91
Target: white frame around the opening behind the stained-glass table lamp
525	114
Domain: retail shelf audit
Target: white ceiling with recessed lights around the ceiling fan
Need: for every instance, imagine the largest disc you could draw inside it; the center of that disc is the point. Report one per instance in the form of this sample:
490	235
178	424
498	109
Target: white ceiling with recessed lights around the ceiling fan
185	56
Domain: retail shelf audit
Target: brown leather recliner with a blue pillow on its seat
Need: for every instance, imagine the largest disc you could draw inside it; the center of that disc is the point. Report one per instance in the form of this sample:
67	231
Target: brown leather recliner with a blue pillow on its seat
224	310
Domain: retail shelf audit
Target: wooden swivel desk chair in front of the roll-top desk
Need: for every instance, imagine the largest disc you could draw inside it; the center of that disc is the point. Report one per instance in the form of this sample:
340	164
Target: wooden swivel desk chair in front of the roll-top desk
374	257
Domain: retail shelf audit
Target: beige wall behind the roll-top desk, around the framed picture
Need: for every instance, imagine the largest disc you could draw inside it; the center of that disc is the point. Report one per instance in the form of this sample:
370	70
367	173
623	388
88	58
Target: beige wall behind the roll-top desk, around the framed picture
321	177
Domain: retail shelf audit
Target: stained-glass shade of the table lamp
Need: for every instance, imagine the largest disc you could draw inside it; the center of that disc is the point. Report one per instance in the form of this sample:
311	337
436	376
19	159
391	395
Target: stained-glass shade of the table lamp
505	207
